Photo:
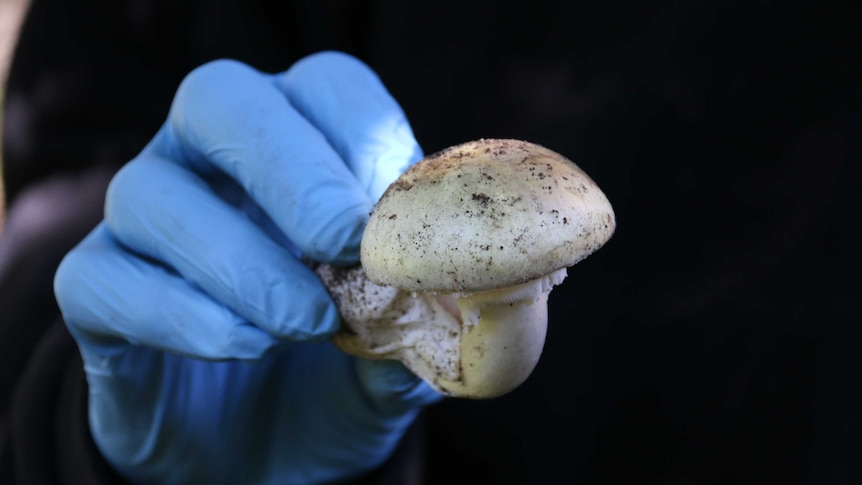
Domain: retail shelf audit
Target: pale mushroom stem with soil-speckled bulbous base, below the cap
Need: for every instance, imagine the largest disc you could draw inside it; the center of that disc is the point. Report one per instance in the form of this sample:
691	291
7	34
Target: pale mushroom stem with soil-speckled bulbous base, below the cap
477	345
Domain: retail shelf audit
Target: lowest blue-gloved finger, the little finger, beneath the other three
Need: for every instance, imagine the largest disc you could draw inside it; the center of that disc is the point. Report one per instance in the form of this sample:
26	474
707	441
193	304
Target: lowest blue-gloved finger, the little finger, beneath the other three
100	289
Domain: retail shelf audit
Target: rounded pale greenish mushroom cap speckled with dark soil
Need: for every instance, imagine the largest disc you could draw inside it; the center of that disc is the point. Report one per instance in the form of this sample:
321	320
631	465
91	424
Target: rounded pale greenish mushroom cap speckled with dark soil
483	215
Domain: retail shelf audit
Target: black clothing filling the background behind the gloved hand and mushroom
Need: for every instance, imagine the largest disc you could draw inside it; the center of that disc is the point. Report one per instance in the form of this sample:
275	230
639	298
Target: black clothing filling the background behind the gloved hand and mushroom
711	341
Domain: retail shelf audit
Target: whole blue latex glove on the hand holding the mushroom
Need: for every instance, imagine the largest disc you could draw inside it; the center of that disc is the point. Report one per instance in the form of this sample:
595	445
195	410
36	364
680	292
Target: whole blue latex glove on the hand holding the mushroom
204	337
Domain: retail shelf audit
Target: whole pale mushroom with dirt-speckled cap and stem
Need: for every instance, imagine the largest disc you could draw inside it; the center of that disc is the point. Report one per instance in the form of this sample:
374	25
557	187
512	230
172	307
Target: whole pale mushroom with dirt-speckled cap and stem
458	259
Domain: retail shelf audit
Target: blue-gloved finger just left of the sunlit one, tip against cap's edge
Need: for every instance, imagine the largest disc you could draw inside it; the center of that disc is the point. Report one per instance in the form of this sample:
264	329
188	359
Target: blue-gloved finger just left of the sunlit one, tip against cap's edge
231	117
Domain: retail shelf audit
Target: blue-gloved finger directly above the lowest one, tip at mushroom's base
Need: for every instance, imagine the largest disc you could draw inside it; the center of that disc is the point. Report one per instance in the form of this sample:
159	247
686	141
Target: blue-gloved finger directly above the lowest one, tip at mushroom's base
217	248
